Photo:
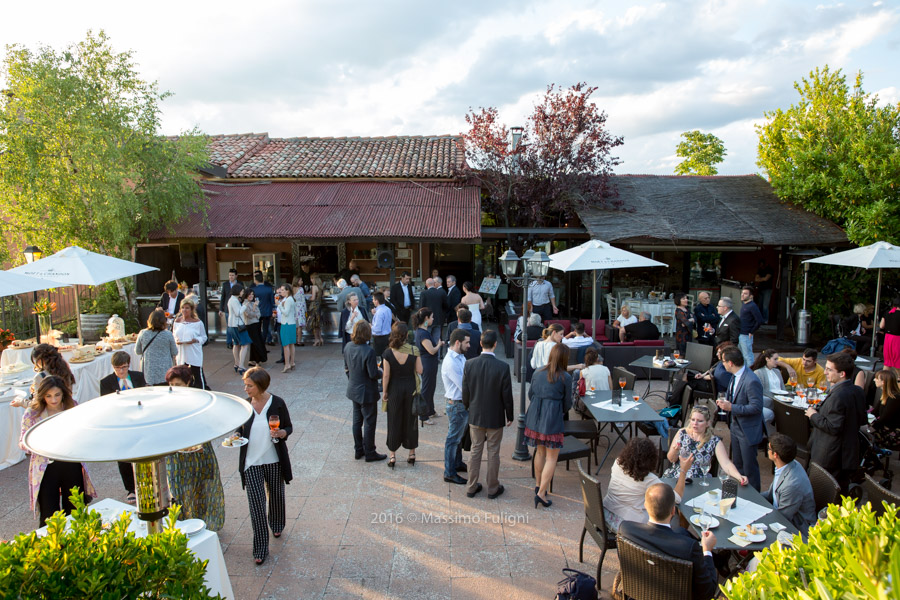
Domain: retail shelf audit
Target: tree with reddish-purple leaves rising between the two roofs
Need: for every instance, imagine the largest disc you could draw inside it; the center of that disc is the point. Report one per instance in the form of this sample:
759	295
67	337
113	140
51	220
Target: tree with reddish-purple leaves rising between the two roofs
562	161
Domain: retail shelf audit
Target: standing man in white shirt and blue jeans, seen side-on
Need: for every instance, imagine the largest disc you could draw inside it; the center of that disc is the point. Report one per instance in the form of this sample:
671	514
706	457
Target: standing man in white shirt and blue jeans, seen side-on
457	415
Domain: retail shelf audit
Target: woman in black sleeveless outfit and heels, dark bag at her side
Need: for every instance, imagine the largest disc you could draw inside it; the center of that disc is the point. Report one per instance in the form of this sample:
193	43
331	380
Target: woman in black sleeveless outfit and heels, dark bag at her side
401	364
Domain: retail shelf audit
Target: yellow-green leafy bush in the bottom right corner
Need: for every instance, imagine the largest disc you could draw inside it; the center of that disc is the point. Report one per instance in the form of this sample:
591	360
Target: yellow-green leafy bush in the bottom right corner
851	555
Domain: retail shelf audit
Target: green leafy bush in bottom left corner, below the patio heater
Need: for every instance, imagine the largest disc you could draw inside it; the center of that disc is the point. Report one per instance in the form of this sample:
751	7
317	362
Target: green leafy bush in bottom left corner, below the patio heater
88	561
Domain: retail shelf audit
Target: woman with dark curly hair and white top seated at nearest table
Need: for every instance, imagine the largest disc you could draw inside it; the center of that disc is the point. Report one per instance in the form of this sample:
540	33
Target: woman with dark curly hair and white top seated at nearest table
630	476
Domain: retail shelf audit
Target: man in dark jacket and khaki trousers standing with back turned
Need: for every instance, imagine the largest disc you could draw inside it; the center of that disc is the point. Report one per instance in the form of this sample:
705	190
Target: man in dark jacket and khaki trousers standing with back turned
487	395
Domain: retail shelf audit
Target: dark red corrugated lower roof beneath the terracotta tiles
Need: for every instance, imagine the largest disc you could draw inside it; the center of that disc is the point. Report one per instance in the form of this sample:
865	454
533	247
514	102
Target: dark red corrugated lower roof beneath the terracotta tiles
336	211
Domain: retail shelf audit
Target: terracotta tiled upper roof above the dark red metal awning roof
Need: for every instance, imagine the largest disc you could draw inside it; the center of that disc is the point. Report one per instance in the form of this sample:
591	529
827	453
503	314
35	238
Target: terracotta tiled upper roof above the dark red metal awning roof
257	156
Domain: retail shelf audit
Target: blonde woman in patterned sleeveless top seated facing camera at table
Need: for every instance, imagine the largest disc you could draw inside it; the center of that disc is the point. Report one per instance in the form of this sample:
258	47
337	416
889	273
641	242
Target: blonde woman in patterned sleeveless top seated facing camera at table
698	440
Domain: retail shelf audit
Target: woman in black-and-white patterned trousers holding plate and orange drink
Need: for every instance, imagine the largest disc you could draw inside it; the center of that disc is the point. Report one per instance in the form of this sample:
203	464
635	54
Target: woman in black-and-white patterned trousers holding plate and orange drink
264	463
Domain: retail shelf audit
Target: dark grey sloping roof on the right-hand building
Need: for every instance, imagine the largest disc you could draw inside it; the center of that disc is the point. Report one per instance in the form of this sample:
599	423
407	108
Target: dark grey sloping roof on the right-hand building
672	209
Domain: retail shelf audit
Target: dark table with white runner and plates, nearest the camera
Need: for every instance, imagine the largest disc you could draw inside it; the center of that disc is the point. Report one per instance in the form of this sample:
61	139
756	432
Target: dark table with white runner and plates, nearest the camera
723	531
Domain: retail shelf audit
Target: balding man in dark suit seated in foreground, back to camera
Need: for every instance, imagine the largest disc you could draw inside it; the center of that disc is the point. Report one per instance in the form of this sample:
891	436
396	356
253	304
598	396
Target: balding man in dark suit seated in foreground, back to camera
658	535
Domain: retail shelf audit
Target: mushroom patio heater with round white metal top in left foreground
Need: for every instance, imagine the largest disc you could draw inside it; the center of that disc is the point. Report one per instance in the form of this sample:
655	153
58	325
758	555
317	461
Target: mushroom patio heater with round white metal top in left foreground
140	426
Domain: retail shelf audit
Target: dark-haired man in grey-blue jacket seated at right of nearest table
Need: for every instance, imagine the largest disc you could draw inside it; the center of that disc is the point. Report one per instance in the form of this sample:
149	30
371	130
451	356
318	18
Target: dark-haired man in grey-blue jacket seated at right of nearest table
791	493
